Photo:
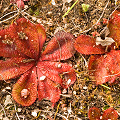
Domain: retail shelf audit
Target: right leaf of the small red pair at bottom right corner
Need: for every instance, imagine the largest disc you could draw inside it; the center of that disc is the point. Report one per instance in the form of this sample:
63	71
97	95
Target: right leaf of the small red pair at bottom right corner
110	113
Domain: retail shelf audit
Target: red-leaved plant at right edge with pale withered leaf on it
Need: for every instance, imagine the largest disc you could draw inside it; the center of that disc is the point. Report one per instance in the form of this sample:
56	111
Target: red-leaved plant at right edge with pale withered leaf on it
106	67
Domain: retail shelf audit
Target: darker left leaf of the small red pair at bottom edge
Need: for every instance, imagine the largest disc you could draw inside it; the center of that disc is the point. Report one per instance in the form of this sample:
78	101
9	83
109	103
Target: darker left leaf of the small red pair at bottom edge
94	113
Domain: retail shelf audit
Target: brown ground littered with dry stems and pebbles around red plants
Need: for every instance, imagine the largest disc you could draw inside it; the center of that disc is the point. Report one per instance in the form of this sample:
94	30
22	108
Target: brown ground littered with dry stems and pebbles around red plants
76	101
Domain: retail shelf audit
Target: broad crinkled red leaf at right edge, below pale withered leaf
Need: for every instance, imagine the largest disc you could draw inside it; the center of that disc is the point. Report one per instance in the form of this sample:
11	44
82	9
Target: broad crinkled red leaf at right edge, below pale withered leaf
105	68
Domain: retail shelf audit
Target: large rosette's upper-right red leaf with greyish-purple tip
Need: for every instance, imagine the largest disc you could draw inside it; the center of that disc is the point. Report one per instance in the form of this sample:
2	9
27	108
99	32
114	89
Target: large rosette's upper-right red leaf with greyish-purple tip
60	47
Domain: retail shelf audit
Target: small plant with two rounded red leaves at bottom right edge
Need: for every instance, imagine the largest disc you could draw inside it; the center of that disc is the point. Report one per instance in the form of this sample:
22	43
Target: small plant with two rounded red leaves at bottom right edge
110	113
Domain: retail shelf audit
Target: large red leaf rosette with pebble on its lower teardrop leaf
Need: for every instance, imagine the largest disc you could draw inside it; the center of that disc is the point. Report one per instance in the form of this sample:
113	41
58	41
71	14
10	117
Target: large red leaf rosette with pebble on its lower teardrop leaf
41	74
